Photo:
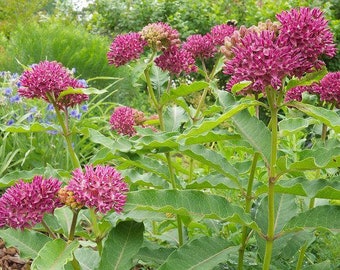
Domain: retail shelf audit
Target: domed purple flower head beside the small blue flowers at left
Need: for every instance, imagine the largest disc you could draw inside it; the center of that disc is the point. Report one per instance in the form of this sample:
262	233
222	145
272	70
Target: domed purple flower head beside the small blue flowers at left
50	79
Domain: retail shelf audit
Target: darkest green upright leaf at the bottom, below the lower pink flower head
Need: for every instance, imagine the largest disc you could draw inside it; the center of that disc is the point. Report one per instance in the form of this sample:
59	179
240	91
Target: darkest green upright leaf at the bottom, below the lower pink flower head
122	244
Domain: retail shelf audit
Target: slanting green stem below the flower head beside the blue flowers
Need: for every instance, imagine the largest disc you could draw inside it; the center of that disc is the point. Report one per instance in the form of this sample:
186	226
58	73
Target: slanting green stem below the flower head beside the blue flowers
66	133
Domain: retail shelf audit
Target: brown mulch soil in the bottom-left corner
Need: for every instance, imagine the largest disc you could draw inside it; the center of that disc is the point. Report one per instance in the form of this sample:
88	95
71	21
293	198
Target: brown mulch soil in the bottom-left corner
10	258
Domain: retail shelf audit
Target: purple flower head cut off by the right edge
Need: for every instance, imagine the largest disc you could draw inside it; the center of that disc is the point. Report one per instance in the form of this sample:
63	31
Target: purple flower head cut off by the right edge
329	88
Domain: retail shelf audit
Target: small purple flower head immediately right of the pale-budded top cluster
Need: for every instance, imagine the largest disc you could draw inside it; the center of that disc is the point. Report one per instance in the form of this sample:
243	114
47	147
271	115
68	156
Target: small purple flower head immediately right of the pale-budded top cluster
200	46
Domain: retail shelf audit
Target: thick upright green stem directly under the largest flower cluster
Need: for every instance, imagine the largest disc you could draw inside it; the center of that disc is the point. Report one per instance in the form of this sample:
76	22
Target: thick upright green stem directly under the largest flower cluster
272	99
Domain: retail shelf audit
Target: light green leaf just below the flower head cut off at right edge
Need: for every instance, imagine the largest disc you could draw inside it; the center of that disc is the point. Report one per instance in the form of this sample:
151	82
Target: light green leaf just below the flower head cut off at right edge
328	117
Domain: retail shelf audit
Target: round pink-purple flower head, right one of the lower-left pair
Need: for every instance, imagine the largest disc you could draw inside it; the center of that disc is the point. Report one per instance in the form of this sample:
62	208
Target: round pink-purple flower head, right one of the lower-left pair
100	187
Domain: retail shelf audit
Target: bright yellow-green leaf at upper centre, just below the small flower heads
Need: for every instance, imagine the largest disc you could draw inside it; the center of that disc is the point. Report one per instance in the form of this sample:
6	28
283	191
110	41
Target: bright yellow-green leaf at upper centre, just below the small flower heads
182	90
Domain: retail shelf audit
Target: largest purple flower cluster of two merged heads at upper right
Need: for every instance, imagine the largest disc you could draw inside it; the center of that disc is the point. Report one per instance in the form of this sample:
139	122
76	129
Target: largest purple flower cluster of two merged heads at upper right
266	54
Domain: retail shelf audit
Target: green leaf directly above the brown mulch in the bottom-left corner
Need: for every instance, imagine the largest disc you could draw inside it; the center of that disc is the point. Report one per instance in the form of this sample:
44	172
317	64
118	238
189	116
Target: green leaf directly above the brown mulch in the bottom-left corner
27	241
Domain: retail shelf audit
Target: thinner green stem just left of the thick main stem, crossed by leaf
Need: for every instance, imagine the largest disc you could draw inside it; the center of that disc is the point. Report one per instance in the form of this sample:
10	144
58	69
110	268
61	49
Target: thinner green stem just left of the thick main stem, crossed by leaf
248	203
